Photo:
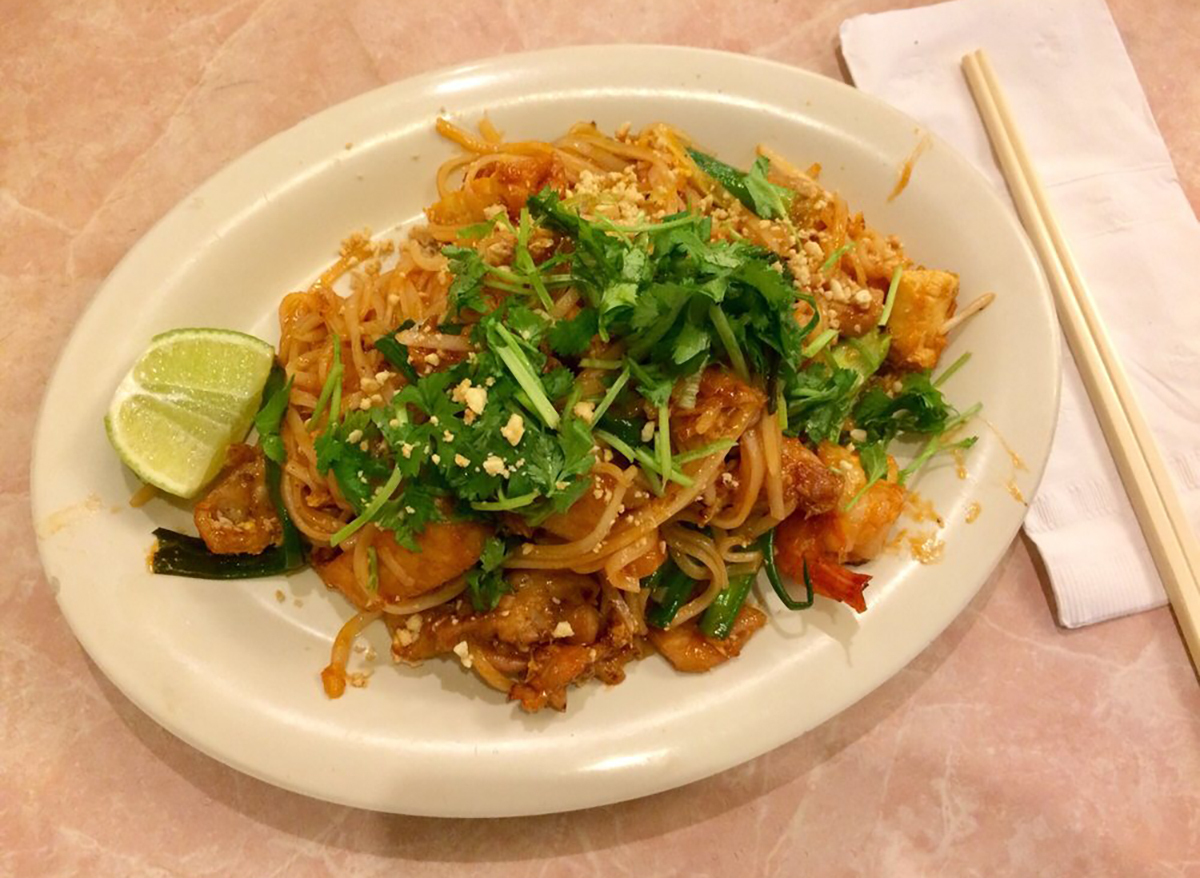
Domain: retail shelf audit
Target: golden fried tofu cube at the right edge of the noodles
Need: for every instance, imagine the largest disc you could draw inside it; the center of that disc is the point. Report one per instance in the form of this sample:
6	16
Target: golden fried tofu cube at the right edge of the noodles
926	299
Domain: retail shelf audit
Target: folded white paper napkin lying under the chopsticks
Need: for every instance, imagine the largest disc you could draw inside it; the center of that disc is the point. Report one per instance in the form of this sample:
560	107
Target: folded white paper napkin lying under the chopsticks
1112	184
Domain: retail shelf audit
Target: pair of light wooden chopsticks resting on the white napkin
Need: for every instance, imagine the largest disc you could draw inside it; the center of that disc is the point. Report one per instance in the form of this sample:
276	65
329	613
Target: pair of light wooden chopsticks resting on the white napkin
1169	536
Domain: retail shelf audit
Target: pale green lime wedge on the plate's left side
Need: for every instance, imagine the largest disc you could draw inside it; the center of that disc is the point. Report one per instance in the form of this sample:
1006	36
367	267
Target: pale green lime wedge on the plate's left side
193	394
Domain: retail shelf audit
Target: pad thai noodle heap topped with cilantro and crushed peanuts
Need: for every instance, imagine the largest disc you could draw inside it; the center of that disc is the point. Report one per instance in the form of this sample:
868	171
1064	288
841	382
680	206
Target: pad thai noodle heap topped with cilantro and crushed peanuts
568	420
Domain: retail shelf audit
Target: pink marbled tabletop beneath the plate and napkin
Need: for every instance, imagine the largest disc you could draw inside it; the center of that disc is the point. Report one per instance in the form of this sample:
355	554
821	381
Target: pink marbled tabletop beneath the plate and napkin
1010	747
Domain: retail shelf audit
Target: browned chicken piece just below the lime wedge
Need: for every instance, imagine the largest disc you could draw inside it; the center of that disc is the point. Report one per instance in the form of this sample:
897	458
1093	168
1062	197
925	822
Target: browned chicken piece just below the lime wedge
237	516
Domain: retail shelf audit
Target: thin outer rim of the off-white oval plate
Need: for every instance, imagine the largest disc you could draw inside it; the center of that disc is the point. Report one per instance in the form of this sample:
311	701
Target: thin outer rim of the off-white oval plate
515	64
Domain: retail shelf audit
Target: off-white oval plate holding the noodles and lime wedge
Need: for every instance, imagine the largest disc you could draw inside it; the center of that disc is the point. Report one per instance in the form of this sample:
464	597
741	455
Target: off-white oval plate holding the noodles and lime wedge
235	672
